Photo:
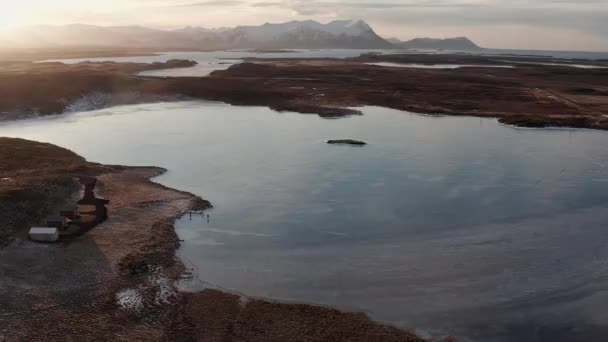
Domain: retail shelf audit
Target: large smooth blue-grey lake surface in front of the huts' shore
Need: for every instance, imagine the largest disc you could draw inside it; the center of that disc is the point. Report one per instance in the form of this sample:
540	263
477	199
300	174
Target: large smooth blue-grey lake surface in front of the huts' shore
449	225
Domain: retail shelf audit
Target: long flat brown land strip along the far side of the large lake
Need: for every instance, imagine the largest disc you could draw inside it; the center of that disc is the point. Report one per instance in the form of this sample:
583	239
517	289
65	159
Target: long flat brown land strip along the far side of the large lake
528	95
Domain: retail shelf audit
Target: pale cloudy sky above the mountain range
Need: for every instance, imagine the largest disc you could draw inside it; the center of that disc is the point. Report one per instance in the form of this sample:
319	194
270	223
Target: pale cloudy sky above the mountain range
524	24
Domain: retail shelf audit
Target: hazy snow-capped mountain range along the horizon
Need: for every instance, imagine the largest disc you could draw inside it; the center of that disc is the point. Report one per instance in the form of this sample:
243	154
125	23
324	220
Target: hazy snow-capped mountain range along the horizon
310	34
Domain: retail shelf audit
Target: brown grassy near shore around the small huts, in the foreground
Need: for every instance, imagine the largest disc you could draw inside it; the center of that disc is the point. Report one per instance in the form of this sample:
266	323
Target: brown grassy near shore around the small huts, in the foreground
116	282
